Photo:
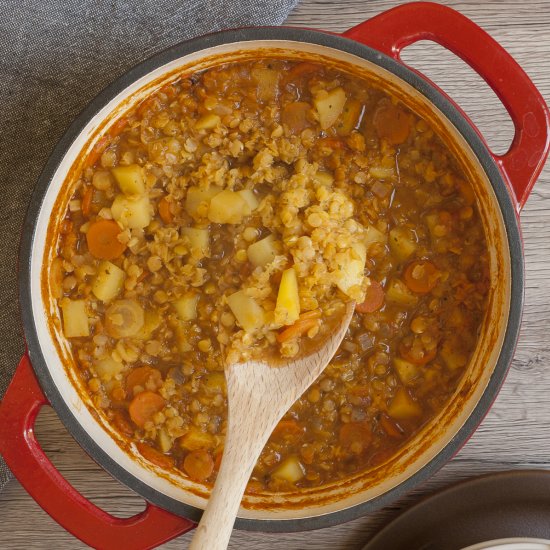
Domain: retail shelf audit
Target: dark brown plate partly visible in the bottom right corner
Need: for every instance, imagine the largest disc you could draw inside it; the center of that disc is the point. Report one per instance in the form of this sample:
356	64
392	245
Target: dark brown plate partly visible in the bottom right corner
497	506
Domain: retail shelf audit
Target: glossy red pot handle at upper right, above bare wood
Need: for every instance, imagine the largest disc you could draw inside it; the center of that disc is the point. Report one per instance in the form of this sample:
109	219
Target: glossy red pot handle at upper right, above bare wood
391	31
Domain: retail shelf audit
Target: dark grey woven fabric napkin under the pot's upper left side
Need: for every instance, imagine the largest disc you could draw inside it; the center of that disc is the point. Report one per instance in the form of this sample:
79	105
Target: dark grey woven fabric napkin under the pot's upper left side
55	56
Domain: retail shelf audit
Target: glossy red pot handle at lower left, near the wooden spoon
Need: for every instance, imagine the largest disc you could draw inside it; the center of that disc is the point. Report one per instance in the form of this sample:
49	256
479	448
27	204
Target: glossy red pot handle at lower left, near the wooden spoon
40	478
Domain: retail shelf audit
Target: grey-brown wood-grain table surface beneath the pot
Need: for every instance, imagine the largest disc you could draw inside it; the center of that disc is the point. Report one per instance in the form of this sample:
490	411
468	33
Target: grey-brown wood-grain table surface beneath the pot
516	432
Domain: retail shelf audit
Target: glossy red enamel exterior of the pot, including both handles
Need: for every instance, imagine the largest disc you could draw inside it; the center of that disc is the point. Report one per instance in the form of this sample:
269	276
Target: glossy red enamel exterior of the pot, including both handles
388	33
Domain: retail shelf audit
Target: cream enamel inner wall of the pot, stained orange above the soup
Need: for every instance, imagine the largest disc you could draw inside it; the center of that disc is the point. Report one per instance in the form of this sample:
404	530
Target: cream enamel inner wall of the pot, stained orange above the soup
426	445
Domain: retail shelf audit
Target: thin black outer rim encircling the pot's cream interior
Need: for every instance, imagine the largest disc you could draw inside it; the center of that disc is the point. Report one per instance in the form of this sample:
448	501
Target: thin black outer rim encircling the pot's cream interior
425	88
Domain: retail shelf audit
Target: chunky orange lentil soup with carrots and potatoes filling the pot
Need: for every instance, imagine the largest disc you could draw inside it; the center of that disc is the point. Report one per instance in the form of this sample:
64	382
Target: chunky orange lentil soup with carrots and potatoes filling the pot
234	212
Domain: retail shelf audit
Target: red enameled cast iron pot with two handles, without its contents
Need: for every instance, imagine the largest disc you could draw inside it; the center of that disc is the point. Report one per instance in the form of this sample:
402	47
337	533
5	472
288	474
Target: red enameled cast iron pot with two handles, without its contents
502	186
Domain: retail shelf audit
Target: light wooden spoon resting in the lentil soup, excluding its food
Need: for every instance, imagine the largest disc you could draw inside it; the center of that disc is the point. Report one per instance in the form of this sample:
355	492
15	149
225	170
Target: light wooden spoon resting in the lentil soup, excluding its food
258	395
